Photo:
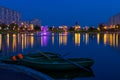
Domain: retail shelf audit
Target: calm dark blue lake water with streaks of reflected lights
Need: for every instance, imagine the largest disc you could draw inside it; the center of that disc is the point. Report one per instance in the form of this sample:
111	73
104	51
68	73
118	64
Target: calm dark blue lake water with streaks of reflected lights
104	49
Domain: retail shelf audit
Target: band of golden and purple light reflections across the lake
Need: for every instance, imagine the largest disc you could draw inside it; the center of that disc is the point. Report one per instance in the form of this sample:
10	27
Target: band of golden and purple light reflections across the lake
14	43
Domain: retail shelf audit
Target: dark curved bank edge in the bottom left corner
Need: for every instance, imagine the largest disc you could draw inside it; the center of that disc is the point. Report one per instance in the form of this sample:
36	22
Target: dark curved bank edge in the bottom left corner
19	71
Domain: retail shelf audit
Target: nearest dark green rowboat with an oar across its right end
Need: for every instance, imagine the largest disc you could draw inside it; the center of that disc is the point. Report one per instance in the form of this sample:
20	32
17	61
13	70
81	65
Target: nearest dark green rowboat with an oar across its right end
56	64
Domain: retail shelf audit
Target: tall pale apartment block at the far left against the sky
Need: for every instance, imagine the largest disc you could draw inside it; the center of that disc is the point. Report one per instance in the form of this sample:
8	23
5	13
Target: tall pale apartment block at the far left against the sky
9	16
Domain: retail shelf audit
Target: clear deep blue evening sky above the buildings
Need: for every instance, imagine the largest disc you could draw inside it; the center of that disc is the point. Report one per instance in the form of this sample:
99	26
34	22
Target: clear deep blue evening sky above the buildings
65	12
